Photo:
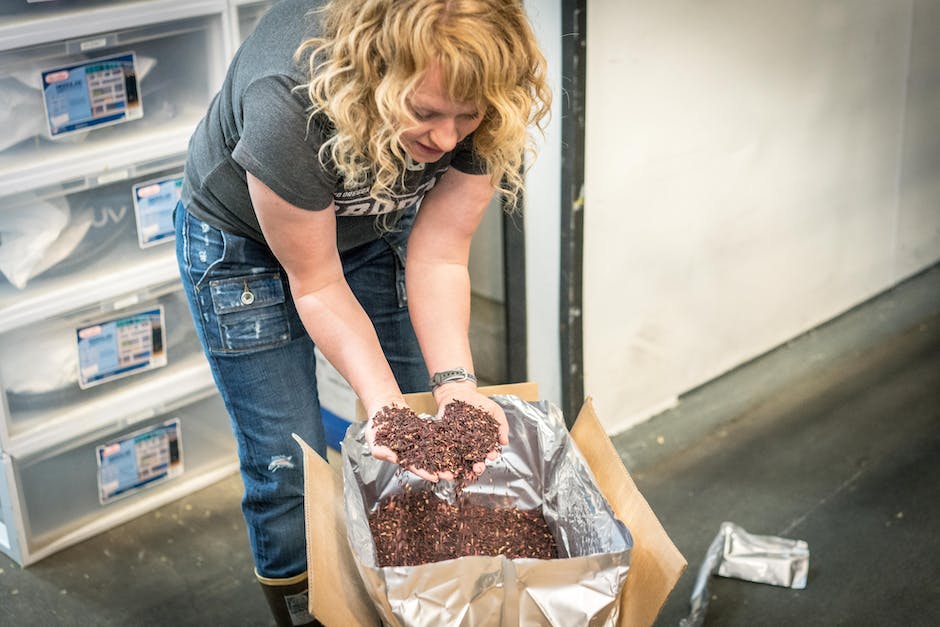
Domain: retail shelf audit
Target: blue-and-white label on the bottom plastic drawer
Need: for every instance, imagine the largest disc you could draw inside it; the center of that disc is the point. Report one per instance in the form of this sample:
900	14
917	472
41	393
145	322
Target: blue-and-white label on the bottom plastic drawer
139	460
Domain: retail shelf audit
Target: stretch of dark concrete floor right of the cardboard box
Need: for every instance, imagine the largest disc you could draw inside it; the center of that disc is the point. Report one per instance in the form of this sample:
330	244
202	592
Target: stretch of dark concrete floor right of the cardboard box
833	439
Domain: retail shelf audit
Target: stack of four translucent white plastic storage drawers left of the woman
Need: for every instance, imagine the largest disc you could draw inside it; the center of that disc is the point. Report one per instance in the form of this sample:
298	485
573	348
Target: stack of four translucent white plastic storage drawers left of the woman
107	404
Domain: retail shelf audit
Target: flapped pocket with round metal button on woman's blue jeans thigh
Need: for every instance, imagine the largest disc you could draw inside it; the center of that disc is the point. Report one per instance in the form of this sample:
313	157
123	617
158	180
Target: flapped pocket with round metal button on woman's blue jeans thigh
251	311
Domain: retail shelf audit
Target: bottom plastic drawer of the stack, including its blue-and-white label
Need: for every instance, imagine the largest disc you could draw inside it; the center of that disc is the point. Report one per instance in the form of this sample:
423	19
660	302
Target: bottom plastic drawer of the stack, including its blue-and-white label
66	494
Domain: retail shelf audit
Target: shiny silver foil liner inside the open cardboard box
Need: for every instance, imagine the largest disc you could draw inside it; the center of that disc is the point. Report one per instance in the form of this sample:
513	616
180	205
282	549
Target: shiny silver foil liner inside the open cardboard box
541	467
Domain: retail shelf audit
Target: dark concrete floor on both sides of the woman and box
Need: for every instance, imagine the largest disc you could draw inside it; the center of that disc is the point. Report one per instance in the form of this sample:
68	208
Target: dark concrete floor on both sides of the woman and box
832	439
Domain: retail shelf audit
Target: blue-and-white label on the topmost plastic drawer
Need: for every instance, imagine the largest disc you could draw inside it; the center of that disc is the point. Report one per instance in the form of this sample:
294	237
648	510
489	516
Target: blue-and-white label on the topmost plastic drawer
92	94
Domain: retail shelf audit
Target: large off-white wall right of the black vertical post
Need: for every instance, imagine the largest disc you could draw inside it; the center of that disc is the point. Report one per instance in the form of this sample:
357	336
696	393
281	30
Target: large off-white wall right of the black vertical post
752	170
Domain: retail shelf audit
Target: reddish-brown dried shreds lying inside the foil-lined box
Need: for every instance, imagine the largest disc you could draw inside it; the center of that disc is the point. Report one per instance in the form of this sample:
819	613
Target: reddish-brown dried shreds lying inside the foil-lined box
415	527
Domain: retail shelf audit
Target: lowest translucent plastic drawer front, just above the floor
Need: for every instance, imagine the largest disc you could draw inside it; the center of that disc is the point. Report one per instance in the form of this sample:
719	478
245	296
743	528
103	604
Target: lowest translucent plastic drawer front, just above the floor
59	492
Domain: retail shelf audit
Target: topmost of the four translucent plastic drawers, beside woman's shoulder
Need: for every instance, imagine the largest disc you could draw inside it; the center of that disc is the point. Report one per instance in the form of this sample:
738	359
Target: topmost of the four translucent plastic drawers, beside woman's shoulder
176	70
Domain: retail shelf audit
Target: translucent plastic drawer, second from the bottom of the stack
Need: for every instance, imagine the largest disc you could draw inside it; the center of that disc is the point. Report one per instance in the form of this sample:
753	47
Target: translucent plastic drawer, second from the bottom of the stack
40	369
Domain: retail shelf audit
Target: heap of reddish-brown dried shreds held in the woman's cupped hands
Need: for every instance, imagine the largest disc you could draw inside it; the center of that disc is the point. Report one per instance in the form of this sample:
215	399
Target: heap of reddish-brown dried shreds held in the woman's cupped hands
461	438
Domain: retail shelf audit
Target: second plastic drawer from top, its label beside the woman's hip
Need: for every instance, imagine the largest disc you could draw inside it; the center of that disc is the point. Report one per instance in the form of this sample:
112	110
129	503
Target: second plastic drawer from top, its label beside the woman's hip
71	244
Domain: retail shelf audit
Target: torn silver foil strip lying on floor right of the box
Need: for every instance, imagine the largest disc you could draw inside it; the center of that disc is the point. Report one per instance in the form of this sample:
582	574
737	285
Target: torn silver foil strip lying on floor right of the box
741	555
